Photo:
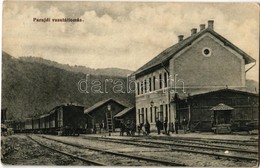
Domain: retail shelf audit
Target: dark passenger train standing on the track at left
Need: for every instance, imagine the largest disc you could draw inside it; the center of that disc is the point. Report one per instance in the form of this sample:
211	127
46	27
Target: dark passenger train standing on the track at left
63	120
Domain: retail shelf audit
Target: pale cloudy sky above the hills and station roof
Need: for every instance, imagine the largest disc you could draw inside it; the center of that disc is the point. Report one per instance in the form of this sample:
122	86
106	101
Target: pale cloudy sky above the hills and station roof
121	34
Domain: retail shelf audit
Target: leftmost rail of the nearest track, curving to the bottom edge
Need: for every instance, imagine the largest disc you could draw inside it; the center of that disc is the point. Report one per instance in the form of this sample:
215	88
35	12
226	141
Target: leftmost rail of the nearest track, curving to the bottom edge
94	163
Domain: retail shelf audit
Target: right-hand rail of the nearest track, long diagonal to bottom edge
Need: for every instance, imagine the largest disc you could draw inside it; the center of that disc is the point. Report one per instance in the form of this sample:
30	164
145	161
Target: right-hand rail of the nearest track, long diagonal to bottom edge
130	156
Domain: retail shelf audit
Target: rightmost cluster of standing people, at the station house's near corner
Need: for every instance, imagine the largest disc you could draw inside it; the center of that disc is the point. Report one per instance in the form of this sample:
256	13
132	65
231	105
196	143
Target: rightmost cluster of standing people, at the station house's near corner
172	127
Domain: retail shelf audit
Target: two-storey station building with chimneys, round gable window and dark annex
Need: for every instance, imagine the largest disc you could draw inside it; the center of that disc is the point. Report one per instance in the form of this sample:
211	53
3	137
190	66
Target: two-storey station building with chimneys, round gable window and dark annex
191	77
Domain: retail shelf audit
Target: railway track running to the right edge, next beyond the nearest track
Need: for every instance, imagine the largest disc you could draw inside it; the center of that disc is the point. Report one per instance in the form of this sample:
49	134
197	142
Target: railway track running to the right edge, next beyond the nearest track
182	149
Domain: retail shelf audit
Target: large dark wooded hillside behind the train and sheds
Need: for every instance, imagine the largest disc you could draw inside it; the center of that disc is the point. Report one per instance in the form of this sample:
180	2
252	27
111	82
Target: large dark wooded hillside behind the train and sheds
31	88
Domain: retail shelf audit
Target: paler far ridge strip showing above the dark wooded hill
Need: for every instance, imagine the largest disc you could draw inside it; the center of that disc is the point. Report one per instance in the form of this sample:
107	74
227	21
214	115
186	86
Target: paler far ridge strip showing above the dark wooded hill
79	68
